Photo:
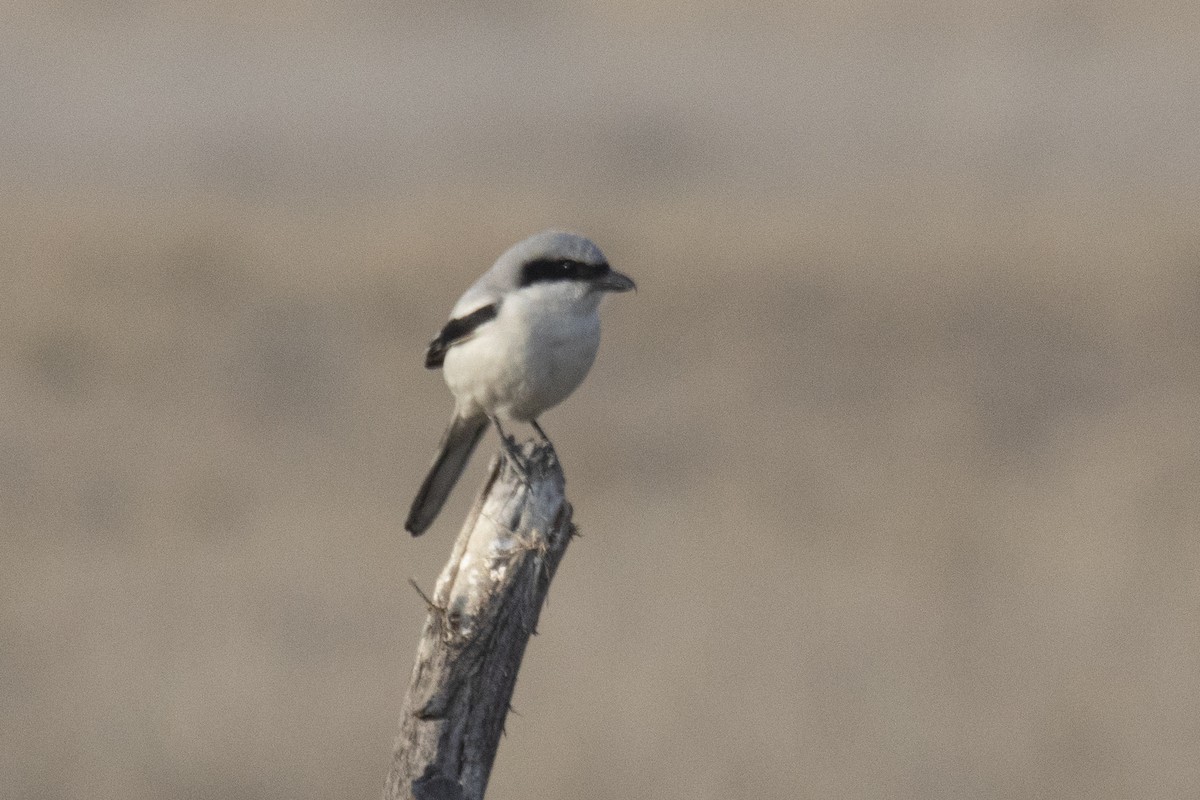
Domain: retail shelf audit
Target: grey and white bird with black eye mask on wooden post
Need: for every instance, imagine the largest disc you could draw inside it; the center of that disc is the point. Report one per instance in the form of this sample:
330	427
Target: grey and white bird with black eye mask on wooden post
519	342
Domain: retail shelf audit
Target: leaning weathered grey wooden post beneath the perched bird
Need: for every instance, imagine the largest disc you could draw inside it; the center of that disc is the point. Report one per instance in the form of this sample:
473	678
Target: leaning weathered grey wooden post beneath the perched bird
483	611
